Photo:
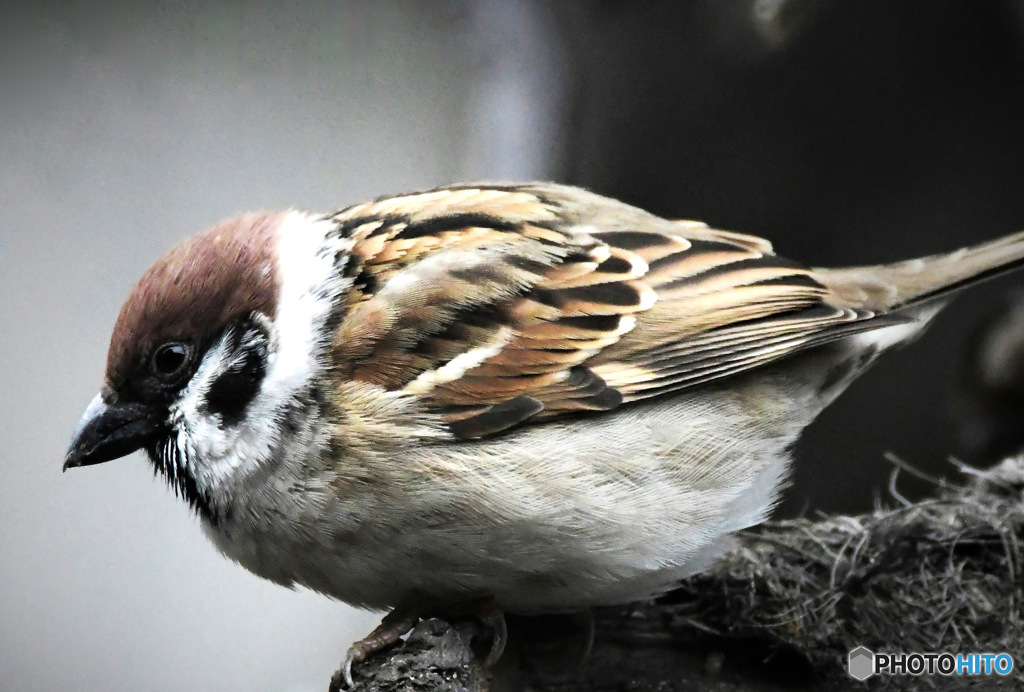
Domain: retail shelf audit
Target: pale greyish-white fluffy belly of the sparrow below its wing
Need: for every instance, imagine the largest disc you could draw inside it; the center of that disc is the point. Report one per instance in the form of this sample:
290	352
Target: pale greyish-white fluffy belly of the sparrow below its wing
593	512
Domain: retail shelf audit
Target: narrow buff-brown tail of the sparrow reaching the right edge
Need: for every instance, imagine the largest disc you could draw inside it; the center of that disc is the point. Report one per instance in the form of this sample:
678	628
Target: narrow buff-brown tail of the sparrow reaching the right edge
905	286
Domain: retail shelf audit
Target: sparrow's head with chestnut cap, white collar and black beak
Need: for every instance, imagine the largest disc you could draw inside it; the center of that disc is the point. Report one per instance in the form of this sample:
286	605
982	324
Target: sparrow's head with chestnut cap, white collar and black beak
219	347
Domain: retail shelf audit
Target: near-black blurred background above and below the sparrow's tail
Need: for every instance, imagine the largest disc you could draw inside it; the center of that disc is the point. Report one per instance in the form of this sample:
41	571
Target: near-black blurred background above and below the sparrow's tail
875	132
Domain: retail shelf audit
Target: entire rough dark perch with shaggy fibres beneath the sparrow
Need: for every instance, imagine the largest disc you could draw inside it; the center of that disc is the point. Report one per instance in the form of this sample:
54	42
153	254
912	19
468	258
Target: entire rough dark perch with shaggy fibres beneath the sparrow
943	575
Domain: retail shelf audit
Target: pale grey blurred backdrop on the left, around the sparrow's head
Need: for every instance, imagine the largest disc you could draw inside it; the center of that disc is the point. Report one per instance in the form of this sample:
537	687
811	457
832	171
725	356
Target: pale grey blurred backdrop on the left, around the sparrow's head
122	132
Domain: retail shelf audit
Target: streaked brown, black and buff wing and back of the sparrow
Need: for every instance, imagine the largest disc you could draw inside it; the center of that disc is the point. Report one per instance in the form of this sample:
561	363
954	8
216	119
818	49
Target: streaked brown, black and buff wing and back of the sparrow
499	306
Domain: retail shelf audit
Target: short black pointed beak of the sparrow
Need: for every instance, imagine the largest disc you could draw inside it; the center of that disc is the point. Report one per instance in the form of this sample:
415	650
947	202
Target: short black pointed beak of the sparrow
110	431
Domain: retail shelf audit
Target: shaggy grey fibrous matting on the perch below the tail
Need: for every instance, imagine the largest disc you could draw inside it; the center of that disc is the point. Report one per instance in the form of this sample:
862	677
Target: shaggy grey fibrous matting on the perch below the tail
943	575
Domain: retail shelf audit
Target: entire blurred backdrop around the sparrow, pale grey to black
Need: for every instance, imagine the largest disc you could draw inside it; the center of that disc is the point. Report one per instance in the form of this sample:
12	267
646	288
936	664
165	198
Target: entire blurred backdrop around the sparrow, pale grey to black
845	132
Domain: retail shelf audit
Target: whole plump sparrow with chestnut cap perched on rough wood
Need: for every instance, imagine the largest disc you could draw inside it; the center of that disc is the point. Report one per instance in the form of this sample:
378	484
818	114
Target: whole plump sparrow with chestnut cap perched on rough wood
524	398
